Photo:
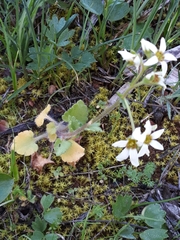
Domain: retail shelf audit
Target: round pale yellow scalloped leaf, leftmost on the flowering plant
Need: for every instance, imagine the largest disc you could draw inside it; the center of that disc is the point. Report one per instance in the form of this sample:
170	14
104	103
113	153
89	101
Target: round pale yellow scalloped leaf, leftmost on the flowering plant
24	143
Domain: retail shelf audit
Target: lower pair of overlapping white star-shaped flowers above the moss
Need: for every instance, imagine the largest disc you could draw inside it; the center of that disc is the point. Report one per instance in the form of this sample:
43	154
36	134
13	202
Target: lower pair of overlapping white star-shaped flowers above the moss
139	142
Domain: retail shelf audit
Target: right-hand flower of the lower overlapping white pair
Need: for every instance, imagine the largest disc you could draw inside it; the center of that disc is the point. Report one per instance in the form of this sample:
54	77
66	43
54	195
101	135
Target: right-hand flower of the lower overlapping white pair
148	138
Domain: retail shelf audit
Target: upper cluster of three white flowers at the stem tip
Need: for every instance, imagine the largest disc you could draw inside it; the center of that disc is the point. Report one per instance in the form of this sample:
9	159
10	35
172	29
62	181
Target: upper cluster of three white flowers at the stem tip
154	56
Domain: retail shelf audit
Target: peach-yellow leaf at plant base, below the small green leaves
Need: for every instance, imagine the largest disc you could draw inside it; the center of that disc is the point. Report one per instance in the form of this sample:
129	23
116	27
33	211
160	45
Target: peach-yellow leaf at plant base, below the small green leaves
73	154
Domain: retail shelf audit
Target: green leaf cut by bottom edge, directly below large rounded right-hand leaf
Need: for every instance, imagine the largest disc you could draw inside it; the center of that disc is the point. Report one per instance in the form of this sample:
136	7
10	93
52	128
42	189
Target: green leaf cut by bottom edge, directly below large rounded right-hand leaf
154	234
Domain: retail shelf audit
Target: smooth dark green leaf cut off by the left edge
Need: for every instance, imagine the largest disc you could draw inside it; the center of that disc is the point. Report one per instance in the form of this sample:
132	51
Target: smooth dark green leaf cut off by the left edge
6	185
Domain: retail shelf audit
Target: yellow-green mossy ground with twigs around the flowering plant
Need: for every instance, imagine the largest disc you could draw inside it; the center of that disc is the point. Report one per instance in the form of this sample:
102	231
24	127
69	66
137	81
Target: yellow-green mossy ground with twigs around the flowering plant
85	193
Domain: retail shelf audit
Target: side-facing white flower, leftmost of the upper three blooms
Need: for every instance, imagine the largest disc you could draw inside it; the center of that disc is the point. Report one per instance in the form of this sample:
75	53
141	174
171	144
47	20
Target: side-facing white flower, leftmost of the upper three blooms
131	59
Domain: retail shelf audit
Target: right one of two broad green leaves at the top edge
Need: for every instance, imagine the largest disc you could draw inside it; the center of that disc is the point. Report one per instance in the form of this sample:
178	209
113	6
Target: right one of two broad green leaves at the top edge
117	11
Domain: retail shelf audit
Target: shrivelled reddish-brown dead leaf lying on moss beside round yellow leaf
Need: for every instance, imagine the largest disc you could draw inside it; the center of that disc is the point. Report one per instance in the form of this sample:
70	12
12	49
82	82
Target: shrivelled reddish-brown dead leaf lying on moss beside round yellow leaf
38	162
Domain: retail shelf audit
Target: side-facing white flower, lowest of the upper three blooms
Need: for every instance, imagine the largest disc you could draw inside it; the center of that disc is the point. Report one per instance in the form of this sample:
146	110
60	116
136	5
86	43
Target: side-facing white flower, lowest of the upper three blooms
155	78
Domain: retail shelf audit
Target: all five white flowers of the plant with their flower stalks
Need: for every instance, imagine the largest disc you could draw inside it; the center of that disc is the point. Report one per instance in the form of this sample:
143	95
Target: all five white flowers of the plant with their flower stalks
137	144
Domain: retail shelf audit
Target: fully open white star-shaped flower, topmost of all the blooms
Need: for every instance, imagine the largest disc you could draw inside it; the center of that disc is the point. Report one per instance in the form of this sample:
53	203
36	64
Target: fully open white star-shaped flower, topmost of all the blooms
159	54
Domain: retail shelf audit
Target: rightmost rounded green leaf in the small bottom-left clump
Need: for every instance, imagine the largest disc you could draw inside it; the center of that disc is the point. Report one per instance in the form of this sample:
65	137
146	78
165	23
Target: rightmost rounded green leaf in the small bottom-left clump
53	215
